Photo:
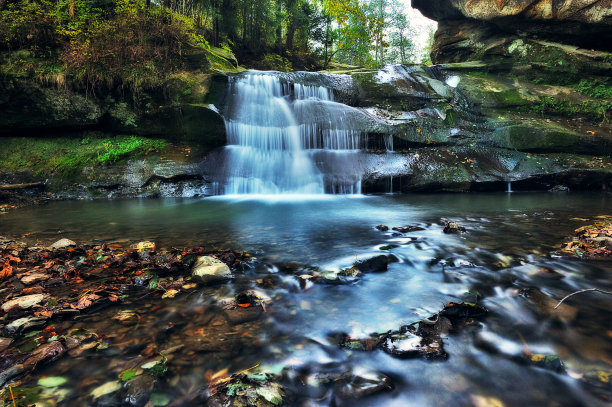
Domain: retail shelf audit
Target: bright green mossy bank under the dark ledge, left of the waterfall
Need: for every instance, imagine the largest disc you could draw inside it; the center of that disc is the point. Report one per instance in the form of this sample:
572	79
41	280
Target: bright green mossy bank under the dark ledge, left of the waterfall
68	156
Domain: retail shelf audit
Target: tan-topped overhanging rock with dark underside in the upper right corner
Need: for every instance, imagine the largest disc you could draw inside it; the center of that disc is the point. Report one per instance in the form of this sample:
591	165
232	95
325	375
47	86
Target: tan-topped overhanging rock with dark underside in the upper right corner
585	23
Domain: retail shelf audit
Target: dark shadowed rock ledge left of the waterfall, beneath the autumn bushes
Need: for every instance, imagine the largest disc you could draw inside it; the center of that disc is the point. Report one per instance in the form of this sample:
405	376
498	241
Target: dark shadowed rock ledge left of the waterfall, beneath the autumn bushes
182	114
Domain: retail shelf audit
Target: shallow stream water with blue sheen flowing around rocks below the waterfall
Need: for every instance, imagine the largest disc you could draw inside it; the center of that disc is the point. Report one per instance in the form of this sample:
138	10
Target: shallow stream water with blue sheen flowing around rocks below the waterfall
503	261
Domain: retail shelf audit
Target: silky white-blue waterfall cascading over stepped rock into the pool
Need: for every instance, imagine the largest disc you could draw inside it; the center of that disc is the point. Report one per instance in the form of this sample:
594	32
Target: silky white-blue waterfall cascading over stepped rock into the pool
286	137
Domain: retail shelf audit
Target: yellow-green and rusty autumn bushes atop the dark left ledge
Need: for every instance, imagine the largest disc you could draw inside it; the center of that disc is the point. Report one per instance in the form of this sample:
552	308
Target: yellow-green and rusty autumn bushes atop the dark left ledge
98	43
